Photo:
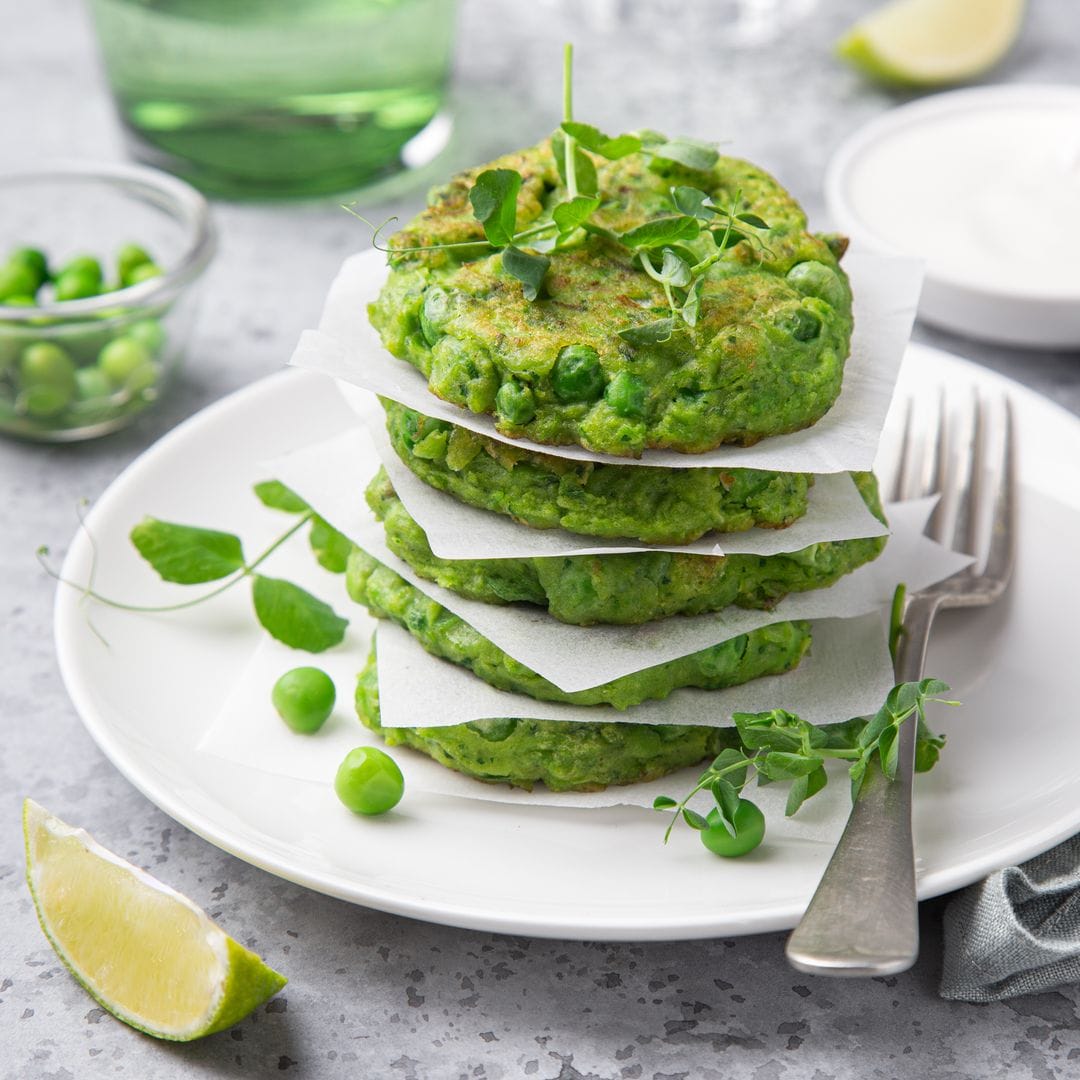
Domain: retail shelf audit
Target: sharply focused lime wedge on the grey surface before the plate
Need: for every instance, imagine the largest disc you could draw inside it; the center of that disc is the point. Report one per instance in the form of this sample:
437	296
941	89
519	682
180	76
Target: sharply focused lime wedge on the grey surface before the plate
147	954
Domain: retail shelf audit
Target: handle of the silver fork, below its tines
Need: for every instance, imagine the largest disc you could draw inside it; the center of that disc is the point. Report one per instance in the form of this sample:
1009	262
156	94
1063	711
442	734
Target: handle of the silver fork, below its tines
863	919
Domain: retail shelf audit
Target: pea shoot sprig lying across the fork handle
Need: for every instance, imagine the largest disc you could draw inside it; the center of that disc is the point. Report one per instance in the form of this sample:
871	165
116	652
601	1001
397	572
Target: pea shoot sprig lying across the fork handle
779	747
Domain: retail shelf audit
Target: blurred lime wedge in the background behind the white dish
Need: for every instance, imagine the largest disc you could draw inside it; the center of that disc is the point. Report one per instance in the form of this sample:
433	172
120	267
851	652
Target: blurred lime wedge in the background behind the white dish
933	43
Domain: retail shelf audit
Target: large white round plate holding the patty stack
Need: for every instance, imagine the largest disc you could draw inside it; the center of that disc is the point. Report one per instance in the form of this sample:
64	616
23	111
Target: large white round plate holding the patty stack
1007	788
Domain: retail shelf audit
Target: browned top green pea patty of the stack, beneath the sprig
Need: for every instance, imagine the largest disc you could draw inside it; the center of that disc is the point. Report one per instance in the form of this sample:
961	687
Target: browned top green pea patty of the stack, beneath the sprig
765	358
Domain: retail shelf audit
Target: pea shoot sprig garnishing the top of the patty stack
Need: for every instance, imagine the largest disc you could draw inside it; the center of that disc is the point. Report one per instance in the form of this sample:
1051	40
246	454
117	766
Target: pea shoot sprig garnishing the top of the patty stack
528	253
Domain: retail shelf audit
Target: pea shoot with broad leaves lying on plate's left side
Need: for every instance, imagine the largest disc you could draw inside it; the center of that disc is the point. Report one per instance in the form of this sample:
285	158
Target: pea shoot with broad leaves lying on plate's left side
191	556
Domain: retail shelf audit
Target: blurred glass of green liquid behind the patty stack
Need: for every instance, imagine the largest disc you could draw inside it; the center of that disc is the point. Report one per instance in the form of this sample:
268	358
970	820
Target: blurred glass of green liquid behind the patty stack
253	99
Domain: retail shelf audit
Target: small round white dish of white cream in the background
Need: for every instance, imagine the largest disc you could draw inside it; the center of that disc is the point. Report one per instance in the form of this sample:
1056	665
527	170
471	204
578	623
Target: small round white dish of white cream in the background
1020	145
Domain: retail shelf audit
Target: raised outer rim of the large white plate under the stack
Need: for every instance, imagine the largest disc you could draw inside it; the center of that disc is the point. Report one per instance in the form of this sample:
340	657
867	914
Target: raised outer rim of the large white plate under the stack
623	928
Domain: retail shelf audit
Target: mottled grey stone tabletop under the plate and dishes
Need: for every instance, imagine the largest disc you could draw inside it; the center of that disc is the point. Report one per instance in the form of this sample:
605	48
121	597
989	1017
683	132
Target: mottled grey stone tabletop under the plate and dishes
373	995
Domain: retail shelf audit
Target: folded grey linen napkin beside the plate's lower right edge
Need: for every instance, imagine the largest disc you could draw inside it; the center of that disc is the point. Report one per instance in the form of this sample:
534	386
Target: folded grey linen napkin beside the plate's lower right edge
1017	931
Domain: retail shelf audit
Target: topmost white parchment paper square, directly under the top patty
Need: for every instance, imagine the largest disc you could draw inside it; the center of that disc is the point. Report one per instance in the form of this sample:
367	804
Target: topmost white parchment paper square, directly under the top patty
886	292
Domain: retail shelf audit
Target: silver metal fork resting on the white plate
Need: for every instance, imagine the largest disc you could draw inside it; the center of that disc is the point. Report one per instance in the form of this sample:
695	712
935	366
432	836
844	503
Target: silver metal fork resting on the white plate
863	919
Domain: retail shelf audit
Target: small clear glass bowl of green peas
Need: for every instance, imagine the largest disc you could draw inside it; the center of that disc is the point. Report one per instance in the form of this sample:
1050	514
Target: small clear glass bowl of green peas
100	268
